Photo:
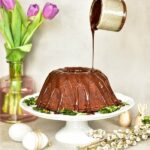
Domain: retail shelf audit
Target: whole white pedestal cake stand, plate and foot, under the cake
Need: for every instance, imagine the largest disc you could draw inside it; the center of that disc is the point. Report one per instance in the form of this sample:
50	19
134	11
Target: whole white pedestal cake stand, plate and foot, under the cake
75	130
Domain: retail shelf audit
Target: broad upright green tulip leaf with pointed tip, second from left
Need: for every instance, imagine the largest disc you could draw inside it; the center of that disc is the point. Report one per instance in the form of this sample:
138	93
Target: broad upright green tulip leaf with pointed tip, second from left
16	27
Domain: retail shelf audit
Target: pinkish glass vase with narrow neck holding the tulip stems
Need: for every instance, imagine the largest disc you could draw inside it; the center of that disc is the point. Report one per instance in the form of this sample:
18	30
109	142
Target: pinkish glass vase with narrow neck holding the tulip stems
12	89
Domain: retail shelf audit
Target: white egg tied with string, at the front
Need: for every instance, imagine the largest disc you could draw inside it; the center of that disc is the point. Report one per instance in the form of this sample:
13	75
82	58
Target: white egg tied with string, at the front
35	140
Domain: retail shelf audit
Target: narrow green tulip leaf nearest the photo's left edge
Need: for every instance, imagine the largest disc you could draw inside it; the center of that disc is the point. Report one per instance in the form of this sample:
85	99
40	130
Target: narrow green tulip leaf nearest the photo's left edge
7	30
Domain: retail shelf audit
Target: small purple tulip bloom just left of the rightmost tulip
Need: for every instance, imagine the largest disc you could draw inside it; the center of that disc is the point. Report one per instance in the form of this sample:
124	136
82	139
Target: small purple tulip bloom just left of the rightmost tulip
33	10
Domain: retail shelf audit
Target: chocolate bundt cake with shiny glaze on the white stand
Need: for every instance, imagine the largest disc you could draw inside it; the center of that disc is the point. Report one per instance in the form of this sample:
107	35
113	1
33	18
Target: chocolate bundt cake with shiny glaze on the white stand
77	89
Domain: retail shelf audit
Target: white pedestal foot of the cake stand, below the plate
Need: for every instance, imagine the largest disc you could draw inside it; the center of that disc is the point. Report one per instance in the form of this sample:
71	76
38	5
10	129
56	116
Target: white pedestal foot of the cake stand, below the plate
74	133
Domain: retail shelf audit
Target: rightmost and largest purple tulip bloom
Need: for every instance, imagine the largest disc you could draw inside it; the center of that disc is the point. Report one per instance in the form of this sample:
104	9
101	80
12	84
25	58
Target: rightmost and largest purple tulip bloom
50	11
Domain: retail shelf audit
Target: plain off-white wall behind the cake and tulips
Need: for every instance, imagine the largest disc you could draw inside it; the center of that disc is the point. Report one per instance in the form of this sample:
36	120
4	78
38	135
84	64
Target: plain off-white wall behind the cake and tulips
66	41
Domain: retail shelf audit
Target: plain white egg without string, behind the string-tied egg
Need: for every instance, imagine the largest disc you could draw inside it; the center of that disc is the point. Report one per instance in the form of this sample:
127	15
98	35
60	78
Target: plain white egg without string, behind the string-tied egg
18	131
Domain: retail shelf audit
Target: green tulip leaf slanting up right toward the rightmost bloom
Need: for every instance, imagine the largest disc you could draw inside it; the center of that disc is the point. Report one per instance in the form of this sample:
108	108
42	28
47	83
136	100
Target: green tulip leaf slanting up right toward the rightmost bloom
32	27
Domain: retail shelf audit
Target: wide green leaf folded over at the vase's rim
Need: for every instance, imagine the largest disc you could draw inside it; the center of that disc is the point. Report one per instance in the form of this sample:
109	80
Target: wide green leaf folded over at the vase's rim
18	53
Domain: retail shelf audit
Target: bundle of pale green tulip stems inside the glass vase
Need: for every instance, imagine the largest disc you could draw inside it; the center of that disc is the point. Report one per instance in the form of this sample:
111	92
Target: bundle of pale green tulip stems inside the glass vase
13	97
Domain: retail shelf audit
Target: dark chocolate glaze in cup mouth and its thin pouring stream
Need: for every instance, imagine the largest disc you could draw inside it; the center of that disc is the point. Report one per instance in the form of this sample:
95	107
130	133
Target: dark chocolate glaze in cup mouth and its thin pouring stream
94	19
